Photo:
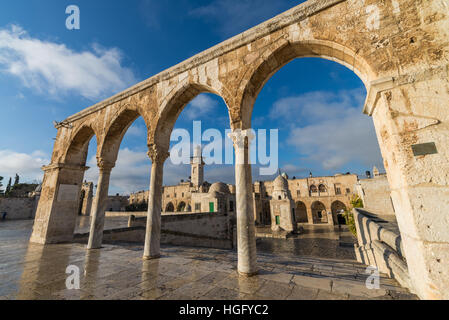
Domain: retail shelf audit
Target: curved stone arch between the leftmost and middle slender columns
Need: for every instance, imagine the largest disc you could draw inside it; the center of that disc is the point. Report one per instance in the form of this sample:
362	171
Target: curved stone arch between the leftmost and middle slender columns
115	132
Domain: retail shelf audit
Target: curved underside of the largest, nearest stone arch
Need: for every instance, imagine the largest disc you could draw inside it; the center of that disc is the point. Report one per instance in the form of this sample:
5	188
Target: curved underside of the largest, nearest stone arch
283	52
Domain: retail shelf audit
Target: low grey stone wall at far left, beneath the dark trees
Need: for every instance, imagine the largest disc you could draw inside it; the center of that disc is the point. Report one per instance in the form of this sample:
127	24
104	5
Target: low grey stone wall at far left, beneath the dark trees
18	208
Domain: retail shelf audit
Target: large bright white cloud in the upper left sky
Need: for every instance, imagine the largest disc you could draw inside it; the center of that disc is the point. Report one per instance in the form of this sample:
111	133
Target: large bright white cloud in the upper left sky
52	68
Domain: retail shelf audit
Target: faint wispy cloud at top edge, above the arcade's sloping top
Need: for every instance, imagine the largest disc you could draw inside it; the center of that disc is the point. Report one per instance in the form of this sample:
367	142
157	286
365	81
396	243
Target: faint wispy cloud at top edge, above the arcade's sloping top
235	16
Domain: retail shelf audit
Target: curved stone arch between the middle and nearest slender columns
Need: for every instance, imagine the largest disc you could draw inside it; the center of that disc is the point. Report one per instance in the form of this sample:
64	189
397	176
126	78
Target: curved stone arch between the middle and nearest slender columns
172	106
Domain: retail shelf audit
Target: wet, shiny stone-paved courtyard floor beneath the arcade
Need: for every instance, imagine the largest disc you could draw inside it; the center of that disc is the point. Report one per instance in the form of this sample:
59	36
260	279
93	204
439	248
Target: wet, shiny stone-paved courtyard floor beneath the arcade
182	273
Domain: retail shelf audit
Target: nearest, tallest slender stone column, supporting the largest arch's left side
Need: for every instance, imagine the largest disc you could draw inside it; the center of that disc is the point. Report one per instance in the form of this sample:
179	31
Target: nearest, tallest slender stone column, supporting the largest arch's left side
246	231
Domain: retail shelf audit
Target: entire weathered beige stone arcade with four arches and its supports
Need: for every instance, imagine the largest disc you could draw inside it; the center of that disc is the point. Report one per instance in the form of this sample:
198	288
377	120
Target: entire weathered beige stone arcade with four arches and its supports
398	99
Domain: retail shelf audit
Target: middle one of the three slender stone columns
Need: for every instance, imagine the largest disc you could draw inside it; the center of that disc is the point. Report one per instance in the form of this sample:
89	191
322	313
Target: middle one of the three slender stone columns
153	229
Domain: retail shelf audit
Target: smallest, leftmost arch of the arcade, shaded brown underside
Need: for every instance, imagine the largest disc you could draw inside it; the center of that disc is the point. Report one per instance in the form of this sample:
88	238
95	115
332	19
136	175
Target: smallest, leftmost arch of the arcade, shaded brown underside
76	153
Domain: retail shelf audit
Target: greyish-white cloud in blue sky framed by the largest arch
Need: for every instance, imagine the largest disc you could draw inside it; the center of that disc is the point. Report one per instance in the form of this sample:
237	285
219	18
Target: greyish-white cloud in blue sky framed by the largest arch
330	129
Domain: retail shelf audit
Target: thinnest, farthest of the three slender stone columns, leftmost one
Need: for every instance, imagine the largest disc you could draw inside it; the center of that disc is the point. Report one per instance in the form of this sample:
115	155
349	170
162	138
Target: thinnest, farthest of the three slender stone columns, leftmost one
99	205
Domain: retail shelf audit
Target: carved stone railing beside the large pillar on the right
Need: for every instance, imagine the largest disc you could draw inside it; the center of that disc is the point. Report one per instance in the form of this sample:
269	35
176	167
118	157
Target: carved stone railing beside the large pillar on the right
380	245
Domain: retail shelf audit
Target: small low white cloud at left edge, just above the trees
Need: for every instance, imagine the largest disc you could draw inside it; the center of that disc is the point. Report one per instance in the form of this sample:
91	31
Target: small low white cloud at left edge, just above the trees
27	166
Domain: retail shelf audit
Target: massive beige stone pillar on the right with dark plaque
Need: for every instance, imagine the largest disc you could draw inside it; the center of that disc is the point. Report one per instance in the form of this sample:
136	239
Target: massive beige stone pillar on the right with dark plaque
412	121
